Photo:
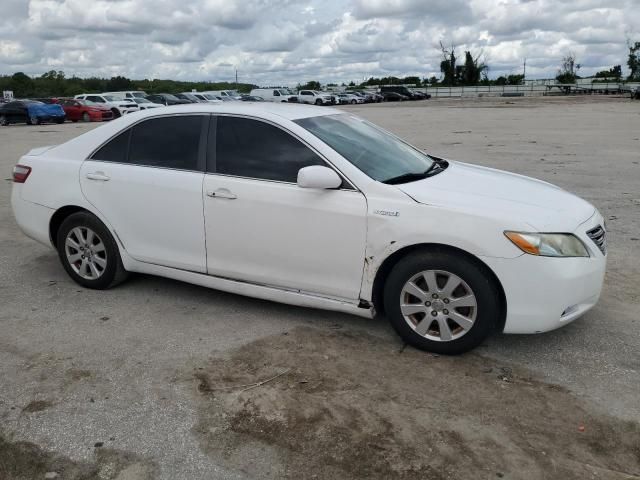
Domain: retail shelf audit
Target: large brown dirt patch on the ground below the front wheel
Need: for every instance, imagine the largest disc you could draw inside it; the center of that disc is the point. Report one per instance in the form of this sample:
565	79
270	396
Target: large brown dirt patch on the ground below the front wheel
317	404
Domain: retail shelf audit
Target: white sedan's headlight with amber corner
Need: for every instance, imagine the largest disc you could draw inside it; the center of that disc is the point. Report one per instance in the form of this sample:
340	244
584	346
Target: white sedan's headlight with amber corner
548	244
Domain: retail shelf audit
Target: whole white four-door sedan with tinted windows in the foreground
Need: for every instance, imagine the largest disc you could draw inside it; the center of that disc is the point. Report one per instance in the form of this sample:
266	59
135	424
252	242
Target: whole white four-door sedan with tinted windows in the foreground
315	207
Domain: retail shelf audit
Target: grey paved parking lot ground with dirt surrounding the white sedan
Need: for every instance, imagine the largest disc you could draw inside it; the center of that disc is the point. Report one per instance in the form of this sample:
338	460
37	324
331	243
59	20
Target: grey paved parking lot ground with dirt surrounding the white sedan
160	379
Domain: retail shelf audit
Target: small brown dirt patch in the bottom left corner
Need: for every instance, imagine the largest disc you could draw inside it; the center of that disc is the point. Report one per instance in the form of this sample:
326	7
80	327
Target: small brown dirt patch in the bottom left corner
27	461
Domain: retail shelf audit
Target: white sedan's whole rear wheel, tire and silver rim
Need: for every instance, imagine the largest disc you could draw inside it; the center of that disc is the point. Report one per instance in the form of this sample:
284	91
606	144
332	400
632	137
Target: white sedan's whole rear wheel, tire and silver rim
102	268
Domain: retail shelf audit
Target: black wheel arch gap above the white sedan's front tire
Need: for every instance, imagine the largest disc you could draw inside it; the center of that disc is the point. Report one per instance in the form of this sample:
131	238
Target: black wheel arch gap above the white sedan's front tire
377	292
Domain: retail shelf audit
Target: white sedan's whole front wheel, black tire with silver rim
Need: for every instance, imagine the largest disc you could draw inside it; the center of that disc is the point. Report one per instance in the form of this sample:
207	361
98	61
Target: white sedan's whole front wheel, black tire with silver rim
452	329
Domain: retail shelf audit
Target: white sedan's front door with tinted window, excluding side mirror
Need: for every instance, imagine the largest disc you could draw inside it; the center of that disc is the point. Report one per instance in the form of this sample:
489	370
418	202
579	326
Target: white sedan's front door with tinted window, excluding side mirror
262	228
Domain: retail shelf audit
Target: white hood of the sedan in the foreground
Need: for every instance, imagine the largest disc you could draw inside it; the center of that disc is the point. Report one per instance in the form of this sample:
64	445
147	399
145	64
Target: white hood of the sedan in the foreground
516	198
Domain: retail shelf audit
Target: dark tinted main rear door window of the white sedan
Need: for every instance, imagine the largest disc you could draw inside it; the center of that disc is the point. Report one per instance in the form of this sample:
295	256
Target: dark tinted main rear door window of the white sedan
171	142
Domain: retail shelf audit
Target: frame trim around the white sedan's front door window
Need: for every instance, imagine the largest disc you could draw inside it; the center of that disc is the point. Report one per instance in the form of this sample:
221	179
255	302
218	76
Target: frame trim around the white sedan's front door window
212	138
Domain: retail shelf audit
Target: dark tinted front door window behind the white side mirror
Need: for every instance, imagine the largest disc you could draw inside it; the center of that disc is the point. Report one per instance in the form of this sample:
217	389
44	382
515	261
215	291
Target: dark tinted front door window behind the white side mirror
249	148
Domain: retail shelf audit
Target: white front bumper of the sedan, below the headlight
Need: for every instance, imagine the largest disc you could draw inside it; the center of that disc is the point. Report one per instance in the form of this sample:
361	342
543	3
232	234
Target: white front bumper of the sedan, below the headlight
545	293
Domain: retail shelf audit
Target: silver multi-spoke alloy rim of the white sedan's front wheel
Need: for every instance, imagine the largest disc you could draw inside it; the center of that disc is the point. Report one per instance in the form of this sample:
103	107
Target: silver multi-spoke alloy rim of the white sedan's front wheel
438	305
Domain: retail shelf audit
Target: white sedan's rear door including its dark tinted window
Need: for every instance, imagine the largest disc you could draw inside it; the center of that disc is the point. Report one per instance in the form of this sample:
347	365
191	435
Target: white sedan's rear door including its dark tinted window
147	183
